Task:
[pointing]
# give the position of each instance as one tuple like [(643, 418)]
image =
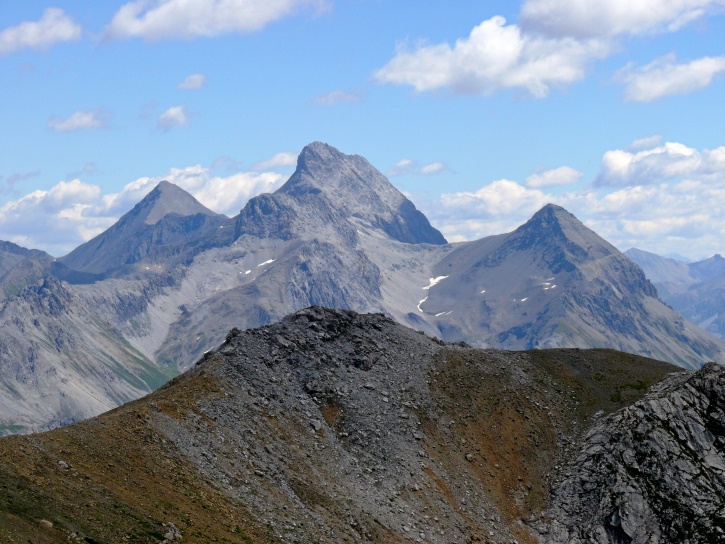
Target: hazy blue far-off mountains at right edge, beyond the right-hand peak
[(695, 290)]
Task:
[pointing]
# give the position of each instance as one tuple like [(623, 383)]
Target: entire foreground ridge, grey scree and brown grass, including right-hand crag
[(332, 426)]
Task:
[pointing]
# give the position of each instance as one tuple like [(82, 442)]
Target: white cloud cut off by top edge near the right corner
[(587, 19)]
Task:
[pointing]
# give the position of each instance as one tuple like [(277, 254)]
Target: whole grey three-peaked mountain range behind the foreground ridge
[(147, 298)]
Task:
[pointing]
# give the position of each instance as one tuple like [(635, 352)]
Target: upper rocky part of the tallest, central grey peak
[(338, 194)]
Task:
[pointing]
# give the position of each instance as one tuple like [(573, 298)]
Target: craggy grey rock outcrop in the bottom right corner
[(653, 472)]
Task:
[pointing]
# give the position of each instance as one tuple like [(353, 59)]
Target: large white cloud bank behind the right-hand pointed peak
[(669, 198)]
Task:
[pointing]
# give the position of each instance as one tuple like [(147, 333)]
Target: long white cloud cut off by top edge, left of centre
[(173, 19)]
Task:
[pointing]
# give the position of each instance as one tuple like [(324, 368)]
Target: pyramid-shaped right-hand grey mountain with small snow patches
[(555, 283)]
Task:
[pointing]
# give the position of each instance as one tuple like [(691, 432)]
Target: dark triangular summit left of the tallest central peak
[(167, 222)]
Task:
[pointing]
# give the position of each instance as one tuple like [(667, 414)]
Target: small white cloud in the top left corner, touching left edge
[(53, 27)]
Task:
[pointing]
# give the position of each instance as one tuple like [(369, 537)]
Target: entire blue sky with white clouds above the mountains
[(481, 112)]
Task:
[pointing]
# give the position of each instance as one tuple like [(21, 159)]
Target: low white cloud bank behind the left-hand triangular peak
[(72, 212)]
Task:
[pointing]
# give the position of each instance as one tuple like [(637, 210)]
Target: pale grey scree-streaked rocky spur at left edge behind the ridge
[(60, 363)]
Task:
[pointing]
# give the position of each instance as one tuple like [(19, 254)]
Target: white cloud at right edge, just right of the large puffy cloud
[(664, 77)]
